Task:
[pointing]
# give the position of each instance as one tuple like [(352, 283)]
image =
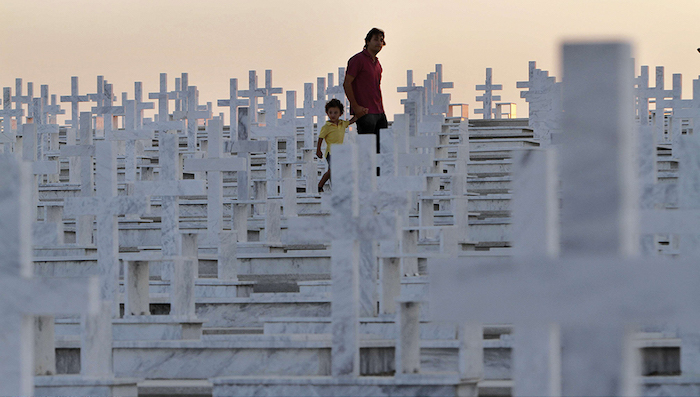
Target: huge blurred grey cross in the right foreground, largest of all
[(593, 291)]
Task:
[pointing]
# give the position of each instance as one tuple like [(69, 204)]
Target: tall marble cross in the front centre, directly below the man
[(351, 221)]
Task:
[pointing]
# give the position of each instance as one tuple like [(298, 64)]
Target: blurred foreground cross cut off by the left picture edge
[(22, 296)]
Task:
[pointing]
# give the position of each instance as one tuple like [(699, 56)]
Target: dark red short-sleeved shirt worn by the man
[(367, 83)]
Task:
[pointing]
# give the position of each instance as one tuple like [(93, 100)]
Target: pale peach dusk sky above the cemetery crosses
[(48, 41)]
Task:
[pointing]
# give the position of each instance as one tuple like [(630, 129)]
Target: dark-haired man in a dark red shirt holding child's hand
[(363, 86)]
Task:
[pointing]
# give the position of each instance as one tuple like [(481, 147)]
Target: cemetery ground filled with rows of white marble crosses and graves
[(191, 252)]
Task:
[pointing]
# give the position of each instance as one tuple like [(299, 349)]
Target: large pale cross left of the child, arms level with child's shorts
[(215, 164)]
